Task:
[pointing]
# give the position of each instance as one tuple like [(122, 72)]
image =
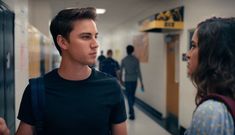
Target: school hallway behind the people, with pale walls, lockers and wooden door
[(161, 31)]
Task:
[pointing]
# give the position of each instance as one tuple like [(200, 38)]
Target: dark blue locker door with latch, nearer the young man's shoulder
[(9, 69)]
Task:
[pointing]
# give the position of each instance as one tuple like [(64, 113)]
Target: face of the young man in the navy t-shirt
[(82, 45)]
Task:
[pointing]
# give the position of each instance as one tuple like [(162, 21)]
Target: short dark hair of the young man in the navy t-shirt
[(62, 23)]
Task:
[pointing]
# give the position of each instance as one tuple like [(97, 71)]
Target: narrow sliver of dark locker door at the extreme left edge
[(1, 66)]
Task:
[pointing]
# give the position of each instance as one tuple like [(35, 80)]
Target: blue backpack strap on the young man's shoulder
[(38, 102)]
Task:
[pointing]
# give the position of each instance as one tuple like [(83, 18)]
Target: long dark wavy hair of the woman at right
[(216, 58)]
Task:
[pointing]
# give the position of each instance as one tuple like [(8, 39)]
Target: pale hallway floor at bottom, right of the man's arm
[(143, 125)]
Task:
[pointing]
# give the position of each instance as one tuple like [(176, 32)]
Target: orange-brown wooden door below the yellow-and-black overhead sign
[(172, 43)]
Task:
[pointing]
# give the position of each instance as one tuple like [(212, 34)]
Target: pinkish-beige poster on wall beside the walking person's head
[(141, 44)]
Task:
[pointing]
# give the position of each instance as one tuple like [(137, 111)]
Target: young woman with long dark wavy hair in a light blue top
[(211, 67)]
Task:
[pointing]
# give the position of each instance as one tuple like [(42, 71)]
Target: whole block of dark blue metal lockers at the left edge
[(7, 68)]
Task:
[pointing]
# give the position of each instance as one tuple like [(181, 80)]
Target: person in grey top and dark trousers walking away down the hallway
[(131, 66)]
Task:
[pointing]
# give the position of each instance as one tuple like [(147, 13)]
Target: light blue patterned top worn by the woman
[(211, 118)]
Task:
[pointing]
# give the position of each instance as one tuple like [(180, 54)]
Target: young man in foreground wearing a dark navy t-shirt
[(79, 100)]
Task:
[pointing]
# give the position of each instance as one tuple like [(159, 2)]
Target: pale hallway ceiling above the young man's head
[(117, 11)]
